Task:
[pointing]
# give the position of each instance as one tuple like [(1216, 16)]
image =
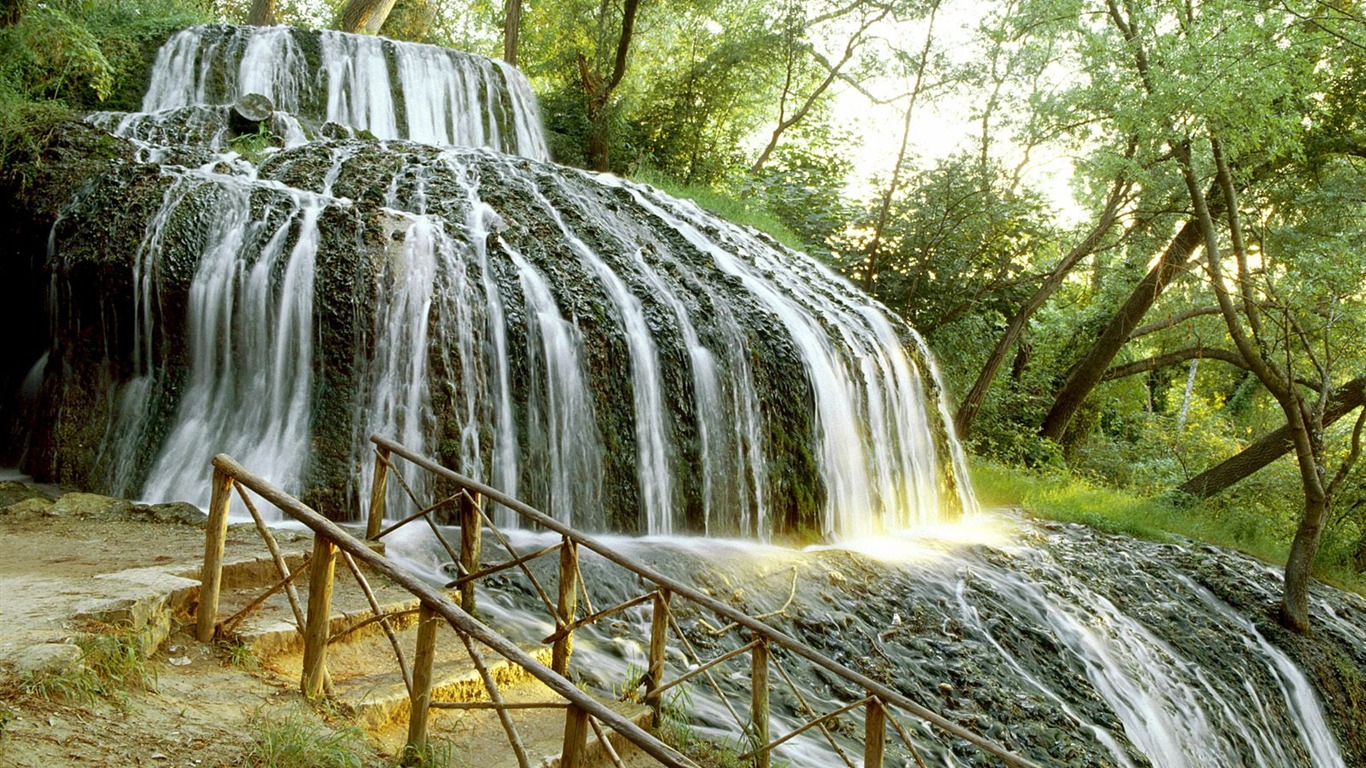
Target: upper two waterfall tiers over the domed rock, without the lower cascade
[(613, 356)]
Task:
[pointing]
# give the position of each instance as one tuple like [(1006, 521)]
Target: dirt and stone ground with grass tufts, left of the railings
[(80, 688)]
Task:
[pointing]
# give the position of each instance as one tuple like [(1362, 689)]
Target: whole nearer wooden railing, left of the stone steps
[(583, 711)]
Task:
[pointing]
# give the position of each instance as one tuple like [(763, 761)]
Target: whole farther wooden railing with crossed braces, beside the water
[(880, 703)]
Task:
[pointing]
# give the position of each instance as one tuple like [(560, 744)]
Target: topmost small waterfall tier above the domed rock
[(364, 84)]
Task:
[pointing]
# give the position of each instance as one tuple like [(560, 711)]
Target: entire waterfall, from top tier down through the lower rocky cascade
[(405, 262)]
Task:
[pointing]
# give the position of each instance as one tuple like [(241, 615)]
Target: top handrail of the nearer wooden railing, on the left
[(441, 605)]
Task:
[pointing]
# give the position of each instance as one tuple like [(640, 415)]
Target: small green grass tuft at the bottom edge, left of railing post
[(296, 740)]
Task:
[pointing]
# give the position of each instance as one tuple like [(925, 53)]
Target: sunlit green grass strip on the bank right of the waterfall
[(1057, 497)]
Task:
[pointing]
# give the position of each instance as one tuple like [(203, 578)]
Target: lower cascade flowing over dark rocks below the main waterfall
[(1068, 646)]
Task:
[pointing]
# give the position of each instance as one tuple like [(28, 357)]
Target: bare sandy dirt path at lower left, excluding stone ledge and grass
[(87, 556)]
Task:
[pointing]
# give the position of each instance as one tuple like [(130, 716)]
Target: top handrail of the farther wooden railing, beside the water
[(884, 694)]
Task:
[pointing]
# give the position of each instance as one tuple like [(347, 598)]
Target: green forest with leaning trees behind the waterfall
[(1133, 233)]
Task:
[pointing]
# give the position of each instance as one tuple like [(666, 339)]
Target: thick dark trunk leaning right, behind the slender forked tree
[(1091, 371)]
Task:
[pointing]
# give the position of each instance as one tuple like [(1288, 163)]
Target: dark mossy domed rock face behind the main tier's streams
[(607, 264)]
